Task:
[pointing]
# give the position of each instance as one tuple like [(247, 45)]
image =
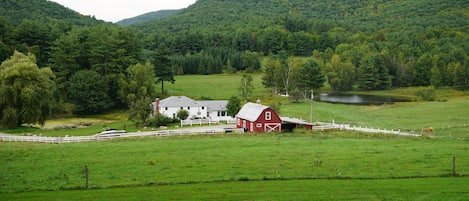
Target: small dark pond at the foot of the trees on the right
[(358, 99)]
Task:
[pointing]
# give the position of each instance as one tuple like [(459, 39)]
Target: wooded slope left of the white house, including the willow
[(87, 60)]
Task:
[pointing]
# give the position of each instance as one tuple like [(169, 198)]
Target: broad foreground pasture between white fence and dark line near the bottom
[(226, 158)]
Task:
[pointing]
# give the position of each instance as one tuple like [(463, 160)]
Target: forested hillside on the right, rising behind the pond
[(405, 39)]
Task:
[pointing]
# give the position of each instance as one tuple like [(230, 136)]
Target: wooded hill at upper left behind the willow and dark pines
[(34, 25)]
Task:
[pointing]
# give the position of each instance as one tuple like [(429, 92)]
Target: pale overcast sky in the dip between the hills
[(115, 10)]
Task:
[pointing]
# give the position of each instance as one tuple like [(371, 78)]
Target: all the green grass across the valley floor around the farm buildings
[(304, 165)]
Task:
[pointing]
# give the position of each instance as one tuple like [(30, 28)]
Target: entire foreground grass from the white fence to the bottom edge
[(246, 165)]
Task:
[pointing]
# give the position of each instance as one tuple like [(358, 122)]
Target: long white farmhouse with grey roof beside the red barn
[(205, 109)]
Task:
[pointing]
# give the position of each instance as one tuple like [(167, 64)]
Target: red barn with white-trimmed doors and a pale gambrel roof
[(258, 118)]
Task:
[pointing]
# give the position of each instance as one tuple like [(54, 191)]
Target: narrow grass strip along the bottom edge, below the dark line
[(386, 189)]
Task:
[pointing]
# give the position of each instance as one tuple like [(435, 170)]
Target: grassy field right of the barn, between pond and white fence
[(448, 118)]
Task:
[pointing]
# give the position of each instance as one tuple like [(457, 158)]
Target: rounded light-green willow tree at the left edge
[(26, 91)]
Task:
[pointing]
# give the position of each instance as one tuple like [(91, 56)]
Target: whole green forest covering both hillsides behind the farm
[(366, 45)]
